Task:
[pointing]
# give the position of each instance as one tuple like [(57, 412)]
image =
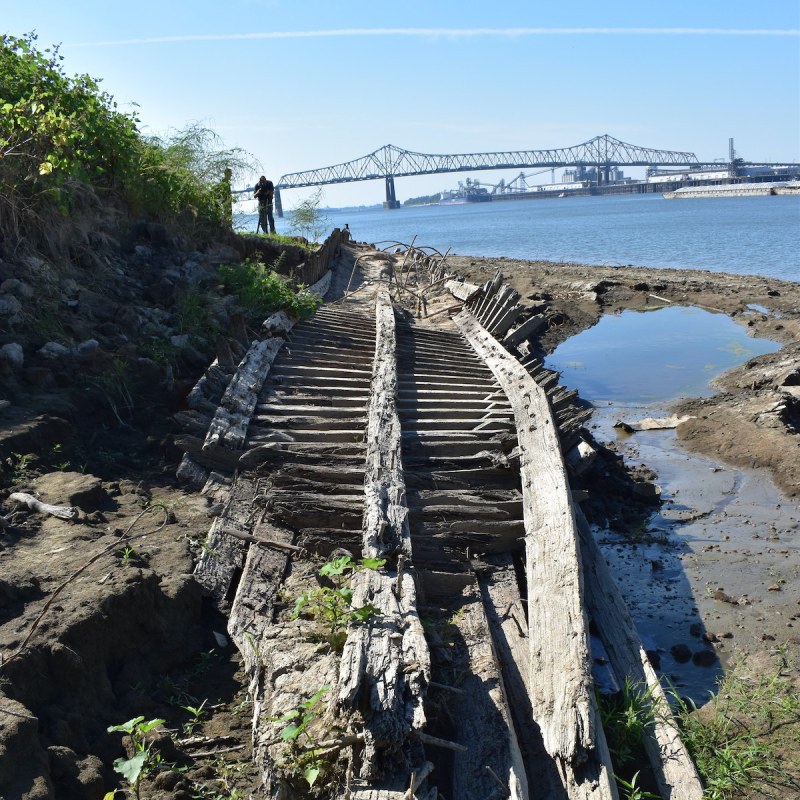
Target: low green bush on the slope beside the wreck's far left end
[(262, 291)]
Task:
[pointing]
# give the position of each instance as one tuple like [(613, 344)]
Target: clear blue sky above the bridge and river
[(309, 83)]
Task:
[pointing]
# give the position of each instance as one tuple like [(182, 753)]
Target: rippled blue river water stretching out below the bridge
[(755, 235)]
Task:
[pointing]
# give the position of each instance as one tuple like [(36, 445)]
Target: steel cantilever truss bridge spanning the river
[(390, 162)]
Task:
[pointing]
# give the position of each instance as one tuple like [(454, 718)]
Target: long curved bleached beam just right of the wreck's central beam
[(559, 678)]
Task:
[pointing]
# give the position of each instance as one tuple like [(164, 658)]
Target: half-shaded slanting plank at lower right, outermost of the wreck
[(674, 770)]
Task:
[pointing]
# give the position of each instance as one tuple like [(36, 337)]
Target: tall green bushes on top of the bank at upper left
[(63, 141)]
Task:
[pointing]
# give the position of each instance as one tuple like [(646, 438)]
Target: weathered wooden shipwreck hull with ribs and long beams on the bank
[(435, 448)]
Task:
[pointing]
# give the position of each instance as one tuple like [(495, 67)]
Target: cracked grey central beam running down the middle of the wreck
[(385, 665)]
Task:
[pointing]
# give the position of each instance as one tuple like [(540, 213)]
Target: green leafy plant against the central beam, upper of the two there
[(332, 605)]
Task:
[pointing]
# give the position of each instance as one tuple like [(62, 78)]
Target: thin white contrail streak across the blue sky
[(451, 33)]
